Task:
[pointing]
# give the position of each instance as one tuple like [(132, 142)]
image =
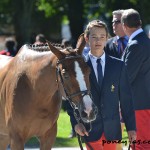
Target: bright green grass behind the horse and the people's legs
[(64, 128)]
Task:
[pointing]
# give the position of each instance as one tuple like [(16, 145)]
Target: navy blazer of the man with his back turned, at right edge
[(137, 61)]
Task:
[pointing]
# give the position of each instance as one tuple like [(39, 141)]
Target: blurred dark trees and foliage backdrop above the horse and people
[(59, 19)]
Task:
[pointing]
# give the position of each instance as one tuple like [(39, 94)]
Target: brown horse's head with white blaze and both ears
[(73, 73)]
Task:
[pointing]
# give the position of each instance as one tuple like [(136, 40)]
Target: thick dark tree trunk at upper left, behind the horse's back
[(22, 20)]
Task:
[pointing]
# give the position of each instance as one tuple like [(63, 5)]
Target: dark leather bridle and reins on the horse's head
[(70, 96)]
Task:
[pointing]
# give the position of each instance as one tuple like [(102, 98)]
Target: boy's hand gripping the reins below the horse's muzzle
[(80, 129)]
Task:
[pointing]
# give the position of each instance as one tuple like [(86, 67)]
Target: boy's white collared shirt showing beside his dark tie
[(94, 63)]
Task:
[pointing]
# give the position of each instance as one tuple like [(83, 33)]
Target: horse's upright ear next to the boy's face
[(80, 44)]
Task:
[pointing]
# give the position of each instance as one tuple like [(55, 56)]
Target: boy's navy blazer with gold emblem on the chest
[(115, 89)]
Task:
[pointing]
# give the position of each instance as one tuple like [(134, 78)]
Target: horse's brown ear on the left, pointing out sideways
[(59, 54)]
